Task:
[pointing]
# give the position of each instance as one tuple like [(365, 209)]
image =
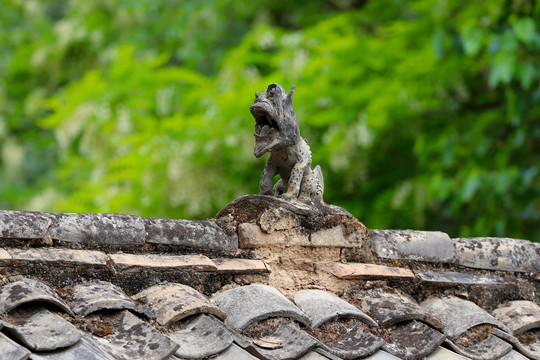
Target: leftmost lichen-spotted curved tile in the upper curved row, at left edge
[(28, 290)]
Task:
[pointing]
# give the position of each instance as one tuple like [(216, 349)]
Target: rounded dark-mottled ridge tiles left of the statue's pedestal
[(115, 230)]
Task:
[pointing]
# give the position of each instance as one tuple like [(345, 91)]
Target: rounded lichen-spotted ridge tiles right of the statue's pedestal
[(503, 254)]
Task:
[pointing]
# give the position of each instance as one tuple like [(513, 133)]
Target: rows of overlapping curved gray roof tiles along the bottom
[(98, 320)]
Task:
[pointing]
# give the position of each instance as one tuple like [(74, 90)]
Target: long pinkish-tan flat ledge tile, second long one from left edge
[(155, 261)]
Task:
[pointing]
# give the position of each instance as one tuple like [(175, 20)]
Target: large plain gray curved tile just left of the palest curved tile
[(247, 304)]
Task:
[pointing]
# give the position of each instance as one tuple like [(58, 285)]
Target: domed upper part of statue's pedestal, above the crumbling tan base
[(261, 220)]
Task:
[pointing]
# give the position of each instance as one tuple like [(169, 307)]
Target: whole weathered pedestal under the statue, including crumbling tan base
[(300, 242)]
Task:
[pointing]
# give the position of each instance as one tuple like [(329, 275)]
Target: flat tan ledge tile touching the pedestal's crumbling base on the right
[(352, 271)]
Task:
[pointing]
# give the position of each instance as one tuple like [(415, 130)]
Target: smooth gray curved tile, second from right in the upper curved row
[(459, 315)]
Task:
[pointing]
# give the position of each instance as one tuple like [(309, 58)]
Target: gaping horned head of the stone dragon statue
[(275, 121)]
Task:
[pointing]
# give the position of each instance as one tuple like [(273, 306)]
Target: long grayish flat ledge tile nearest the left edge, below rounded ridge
[(80, 257)]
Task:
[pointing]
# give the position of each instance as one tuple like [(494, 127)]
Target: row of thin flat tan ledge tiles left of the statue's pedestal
[(58, 265)]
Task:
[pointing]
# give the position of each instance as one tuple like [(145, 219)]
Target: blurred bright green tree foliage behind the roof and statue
[(422, 114)]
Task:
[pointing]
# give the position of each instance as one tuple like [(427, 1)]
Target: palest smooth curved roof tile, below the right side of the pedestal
[(322, 306)]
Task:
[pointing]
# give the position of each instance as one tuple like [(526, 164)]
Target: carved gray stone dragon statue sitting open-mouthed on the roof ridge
[(277, 132)]
